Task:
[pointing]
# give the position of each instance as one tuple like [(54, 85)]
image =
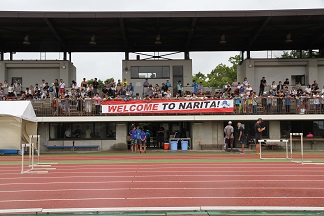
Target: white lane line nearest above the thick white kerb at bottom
[(155, 198)]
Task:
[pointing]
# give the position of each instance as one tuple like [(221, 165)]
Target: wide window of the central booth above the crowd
[(150, 72)]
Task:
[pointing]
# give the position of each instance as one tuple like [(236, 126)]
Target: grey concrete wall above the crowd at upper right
[(280, 69)]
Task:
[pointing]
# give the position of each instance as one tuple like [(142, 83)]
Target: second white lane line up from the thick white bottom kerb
[(154, 188)]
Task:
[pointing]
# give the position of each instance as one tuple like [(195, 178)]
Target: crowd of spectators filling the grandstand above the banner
[(87, 98)]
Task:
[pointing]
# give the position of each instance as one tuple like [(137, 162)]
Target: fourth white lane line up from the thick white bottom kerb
[(152, 176)]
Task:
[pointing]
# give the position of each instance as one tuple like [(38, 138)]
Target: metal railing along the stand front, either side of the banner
[(259, 106)]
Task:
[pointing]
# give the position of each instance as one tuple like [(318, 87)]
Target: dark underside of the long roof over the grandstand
[(178, 31)]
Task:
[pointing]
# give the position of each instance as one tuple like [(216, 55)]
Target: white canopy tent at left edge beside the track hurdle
[(18, 122)]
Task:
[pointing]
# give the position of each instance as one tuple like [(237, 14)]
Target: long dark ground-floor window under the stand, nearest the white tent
[(76, 130)]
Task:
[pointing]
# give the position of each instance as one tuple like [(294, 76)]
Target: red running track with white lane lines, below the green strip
[(164, 185)]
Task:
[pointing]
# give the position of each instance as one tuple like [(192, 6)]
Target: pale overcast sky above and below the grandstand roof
[(106, 65)]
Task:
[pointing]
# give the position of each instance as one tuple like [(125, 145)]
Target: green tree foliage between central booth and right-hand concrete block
[(220, 75)]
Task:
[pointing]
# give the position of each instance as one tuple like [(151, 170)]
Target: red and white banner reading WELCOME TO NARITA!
[(167, 106)]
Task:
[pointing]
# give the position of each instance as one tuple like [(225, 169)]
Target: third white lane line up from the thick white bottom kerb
[(179, 181)]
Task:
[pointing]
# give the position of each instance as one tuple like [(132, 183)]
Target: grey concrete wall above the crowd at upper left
[(33, 71)]
